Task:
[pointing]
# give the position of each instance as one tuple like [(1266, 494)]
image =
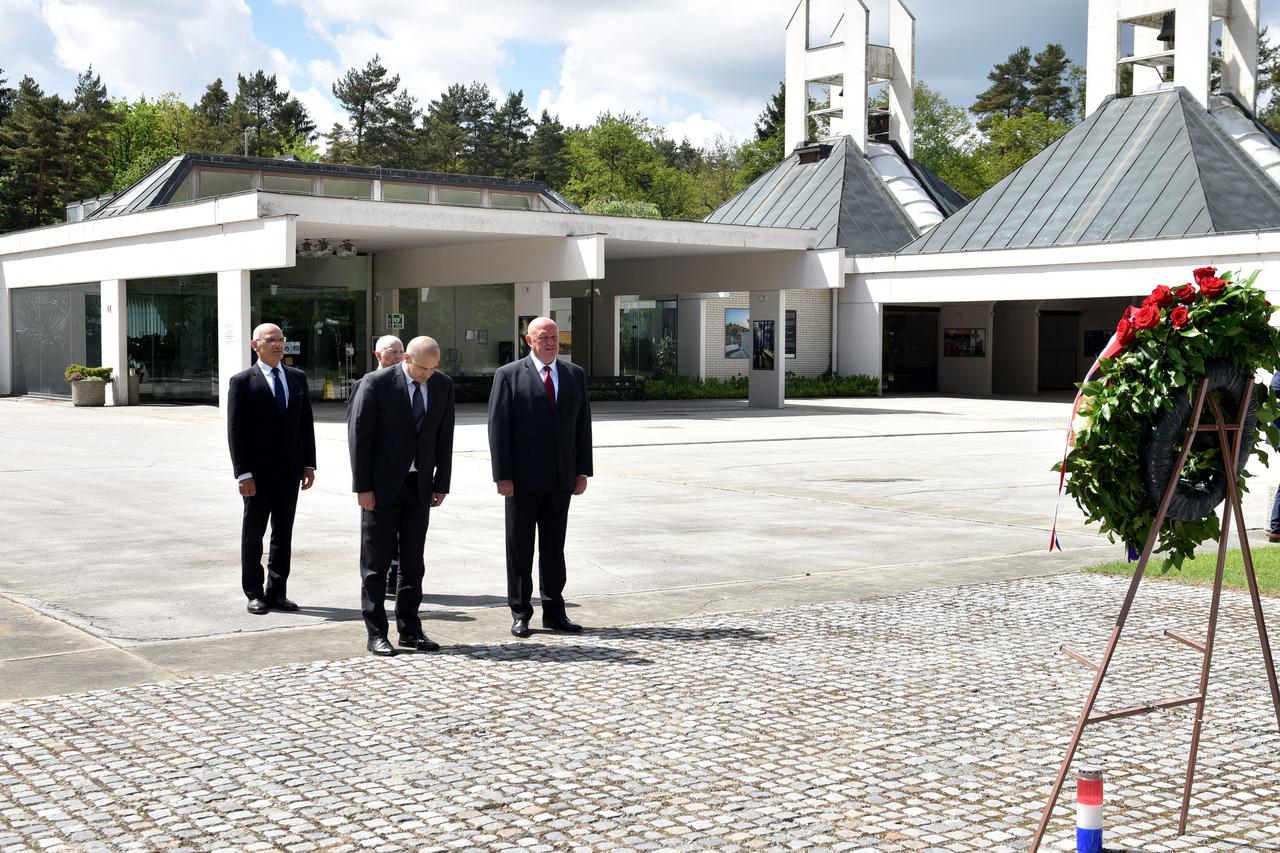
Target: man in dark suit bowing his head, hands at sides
[(400, 432)]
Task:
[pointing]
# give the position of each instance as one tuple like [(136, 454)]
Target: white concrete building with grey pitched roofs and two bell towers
[(849, 256)]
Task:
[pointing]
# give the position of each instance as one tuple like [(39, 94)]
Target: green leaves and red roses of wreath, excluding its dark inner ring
[(1164, 349)]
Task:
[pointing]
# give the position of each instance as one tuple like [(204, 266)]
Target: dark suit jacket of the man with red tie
[(532, 446)]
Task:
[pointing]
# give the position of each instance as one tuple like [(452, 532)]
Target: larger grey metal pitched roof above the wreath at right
[(1144, 167)]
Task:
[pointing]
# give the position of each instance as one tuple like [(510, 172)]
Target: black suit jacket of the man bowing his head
[(383, 443)]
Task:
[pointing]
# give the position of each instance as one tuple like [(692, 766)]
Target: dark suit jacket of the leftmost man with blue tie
[(272, 446)]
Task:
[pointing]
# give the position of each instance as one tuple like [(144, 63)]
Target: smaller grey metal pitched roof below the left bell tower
[(840, 197)]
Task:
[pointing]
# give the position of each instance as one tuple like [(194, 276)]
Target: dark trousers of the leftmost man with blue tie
[(276, 501)]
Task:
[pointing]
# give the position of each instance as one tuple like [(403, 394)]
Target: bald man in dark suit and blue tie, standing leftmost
[(273, 444)]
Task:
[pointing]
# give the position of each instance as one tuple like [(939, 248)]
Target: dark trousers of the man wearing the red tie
[(548, 514)]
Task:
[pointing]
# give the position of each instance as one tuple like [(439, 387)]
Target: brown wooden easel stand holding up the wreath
[(1231, 436)]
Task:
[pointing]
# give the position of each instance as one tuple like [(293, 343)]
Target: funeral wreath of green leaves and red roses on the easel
[(1133, 410)]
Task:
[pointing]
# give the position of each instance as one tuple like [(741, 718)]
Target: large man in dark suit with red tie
[(541, 445)]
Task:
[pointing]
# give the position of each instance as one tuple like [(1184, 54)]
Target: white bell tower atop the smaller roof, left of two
[(831, 63)]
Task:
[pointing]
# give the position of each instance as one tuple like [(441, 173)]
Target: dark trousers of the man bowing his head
[(404, 521)]
